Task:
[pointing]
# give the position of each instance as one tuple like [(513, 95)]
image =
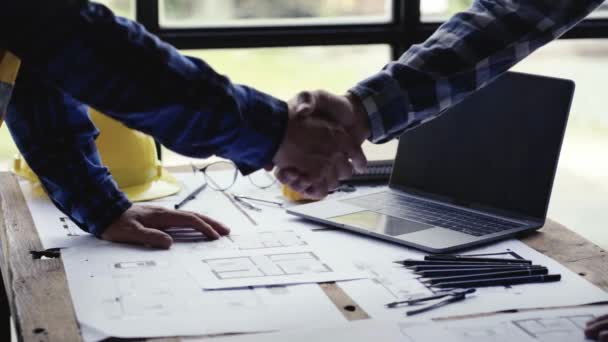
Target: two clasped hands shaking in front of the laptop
[(322, 142)]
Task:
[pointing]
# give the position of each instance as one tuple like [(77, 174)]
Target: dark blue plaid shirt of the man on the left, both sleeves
[(89, 56)]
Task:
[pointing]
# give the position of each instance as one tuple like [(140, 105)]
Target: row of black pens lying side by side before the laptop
[(462, 271)]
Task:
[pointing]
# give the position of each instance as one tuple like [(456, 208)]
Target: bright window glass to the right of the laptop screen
[(581, 185)]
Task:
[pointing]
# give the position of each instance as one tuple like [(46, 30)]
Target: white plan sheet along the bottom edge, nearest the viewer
[(565, 325)]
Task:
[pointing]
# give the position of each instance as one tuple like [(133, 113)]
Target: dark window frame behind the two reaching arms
[(405, 29)]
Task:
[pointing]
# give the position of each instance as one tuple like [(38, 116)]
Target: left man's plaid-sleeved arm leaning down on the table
[(57, 139)]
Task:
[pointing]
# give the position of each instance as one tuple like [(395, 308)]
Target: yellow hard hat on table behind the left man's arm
[(130, 156)]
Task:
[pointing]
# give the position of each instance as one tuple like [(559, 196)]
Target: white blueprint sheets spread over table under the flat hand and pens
[(263, 276)]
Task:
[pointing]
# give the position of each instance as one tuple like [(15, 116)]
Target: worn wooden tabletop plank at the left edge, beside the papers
[(41, 304)]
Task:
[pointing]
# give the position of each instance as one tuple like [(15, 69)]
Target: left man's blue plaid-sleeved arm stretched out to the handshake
[(117, 67)]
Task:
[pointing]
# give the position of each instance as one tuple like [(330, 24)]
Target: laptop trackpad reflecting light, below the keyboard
[(380, 223)]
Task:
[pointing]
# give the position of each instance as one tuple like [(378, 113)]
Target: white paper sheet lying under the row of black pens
[(390, 282)]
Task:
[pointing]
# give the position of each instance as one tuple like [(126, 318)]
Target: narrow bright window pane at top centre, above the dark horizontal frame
[(206, 13)]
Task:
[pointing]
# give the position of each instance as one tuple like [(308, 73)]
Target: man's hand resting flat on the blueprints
[(144, 225)]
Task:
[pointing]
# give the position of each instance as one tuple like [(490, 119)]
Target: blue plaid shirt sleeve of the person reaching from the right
[(466, 53)]
